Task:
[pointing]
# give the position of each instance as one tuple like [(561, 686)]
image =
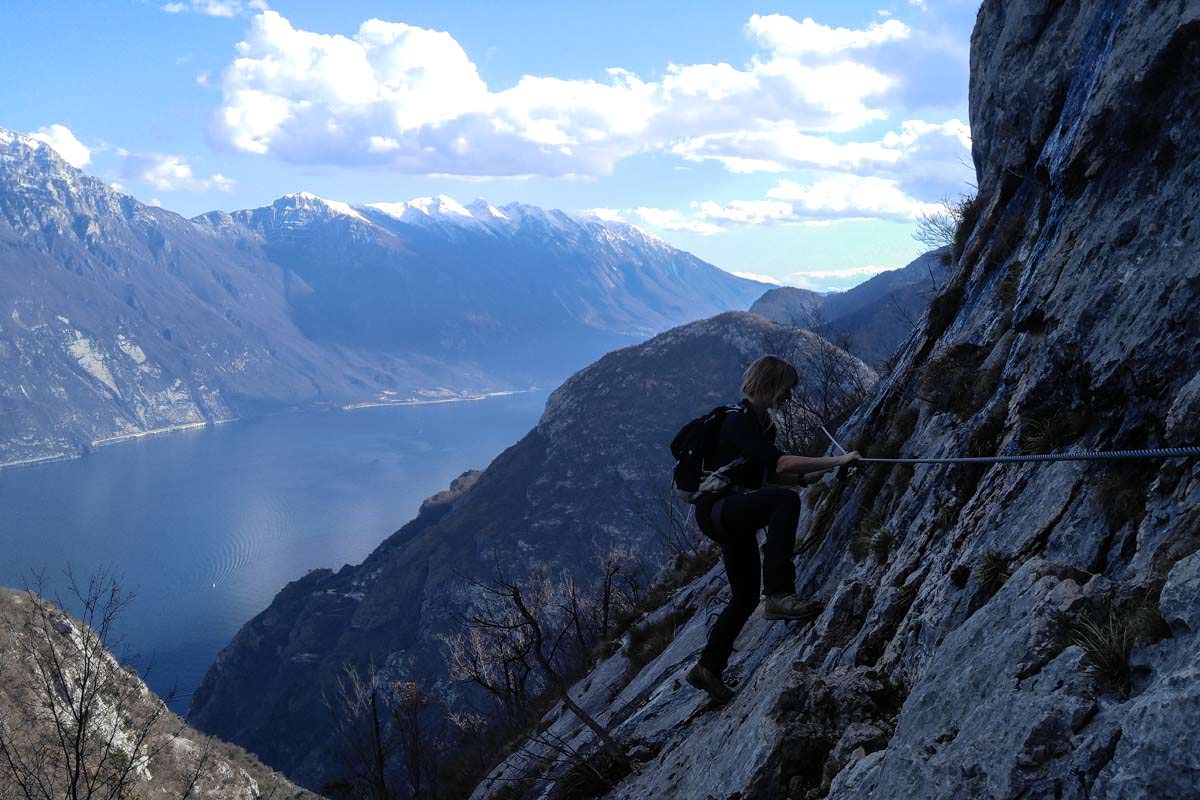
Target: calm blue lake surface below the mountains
[(207, 526)]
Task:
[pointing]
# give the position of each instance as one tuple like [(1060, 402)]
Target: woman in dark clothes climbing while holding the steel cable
[(733, 521)]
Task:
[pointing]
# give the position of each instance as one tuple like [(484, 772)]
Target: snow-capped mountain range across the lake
[(121, 318)]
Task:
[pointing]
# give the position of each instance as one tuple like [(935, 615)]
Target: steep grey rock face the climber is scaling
[(1007, 631)]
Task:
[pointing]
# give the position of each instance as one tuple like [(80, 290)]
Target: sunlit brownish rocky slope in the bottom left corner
[(177, 753)]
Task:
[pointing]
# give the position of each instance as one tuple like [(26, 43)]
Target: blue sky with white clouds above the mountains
[(797, 142)]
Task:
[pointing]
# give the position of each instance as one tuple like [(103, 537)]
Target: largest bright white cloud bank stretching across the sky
[(413, 100)]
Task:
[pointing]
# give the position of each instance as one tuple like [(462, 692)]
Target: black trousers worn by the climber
[(741, 516)]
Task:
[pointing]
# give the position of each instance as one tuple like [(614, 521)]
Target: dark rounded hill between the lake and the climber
[(585, 479)]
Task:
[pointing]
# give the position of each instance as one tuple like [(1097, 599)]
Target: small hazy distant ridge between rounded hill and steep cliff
[(871, 321)]
